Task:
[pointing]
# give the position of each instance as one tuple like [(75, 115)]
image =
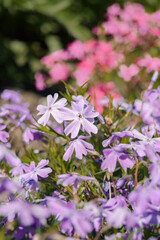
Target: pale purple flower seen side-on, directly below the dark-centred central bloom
[(80, 146)]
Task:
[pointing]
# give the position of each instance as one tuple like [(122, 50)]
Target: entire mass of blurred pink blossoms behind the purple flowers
[(128, 39)]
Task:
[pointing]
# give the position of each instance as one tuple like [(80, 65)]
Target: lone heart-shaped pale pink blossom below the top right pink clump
[(128, 72)]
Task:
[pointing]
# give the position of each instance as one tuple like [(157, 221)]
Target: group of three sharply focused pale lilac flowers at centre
[(82, 116)]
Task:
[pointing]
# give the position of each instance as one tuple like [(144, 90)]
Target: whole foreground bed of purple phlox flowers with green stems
[(113, 192)]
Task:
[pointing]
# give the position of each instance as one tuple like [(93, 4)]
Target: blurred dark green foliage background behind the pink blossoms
[(30, 29)]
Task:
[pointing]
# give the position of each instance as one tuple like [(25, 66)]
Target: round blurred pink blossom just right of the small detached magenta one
[(59, 72)]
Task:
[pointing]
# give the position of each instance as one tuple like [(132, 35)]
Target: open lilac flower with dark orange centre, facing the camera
[(82, 117)]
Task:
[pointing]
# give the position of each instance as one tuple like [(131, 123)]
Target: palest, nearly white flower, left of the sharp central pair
[(53, 108)]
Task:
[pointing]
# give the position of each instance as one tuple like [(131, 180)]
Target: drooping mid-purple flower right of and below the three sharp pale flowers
[(116, 153)]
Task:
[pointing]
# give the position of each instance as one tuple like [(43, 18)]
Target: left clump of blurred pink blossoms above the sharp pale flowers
[(93, 56)]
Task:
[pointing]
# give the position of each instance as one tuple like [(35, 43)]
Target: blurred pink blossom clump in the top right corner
[(135, 25)]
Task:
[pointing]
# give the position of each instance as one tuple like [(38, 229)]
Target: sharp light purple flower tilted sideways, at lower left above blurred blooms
[(35, 172)]
